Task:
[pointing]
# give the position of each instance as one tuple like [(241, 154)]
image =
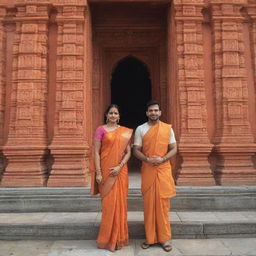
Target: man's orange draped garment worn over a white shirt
[(157, 185)]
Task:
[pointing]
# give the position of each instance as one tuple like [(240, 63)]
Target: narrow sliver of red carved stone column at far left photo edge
[(2, 83)]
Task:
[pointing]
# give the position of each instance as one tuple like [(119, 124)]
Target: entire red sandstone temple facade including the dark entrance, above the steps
[(63, 61)]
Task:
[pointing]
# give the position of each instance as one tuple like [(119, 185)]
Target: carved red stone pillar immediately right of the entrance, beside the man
[(194, 146)]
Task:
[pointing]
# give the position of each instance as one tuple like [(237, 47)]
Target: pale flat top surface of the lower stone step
[(94, 217)]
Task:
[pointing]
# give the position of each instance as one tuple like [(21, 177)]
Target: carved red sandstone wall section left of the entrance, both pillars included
[(47, 59)]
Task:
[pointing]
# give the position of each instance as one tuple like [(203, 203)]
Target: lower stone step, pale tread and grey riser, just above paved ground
[(84, 225)]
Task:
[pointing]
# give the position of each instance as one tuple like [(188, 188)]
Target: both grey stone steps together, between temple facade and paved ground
[(72, 213)]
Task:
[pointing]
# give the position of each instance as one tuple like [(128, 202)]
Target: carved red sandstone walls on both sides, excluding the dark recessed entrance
[(45, 91)]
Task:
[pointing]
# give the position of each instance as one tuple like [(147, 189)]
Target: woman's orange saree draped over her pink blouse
[(113, 231)]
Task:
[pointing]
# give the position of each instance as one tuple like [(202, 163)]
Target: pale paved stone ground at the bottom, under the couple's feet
[(181, 247)]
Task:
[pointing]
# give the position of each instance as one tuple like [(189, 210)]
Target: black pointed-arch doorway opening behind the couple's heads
[(131, 90)]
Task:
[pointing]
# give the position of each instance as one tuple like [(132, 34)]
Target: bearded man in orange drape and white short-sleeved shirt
[(154, 145)]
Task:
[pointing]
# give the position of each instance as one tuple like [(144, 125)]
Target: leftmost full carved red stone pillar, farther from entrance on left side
[(26, 144)]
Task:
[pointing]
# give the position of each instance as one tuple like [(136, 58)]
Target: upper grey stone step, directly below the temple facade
[(217, 198)]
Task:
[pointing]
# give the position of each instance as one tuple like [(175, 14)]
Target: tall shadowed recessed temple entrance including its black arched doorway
[(129, 42)]
